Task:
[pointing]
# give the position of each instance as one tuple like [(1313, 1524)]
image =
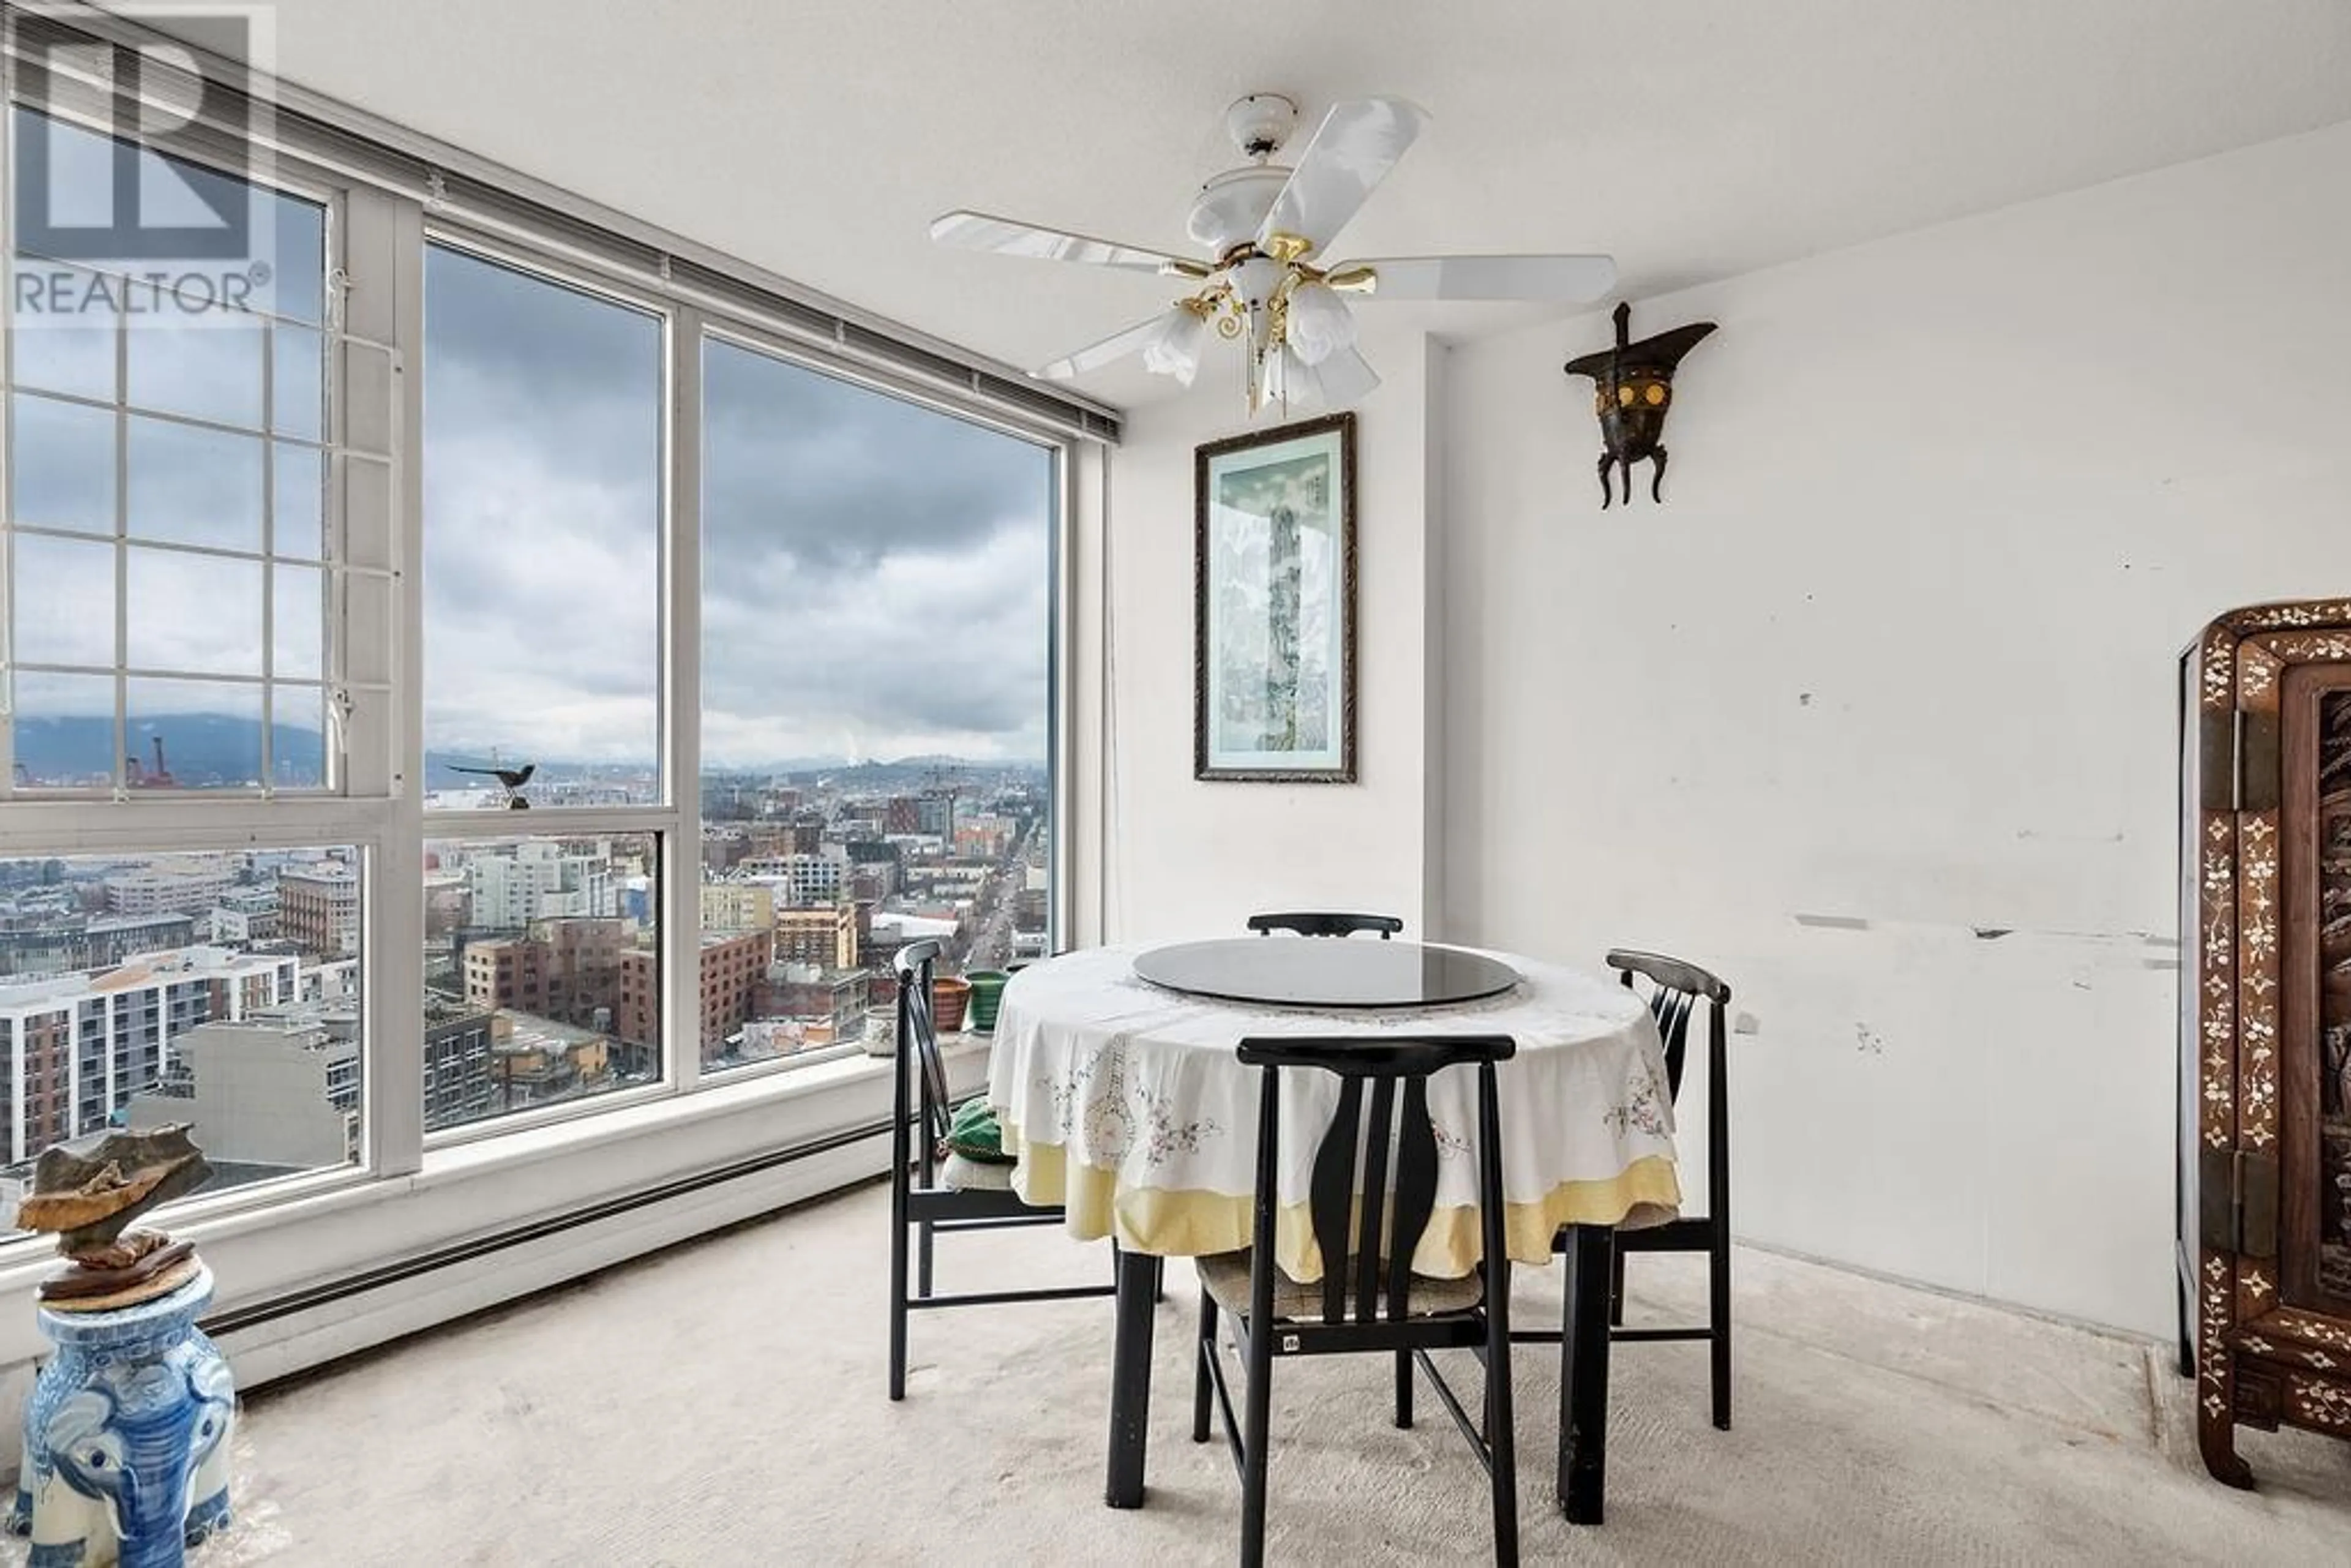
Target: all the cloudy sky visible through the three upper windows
[(876, 577)]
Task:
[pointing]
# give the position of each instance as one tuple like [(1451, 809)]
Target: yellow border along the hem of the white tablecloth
[(1193, 1224)]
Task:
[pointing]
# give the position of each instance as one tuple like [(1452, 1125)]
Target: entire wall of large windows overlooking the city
[(361, 605)]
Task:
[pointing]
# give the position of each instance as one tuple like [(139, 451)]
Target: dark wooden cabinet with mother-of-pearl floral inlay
[(2265, 1024)]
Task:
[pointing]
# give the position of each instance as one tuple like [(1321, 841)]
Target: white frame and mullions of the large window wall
[(382, 213)]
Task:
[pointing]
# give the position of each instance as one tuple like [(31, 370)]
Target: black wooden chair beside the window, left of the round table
[(932, 1188)]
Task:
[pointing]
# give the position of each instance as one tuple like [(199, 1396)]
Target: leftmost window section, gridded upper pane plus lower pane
[(173, 657)]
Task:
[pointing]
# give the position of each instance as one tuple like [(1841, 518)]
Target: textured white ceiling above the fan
[(1694, 140)]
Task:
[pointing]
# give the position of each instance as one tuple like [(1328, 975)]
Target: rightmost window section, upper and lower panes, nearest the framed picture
[(876, 697)]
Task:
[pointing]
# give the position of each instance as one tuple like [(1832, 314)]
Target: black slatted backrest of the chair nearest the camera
[(1353, 1202)]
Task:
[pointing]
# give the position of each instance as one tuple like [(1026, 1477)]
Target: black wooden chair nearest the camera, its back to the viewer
[(1273, 1315)]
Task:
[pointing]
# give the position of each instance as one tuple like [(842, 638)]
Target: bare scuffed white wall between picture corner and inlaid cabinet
[(1891, 671)]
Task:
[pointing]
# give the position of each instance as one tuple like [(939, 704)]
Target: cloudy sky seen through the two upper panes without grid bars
[(876, 577)]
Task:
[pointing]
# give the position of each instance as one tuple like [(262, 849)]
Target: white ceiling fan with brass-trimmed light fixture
[(1259, 227)]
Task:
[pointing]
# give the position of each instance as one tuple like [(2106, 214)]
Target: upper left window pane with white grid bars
[(166, 554)]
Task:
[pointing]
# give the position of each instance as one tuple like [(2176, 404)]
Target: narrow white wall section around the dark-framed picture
[(1188, 857)]
